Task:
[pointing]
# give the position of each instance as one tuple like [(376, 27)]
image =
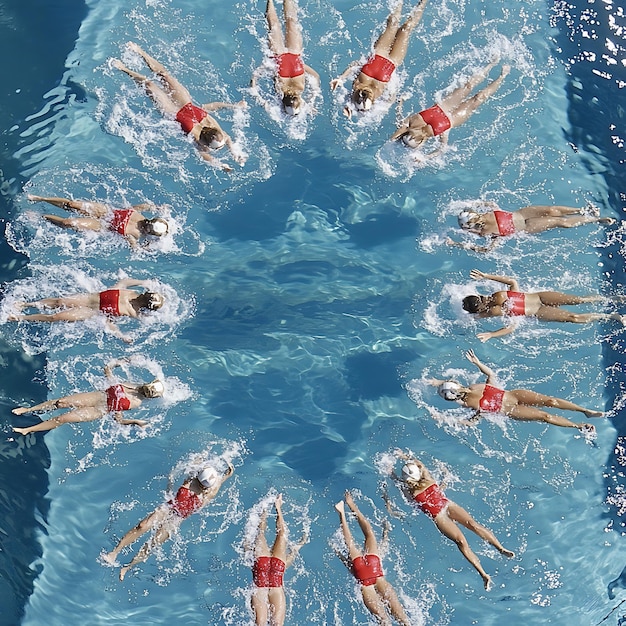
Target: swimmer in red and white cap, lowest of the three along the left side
[(93, 405)]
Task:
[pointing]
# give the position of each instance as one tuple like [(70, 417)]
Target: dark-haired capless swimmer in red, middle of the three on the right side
[(544, 305)]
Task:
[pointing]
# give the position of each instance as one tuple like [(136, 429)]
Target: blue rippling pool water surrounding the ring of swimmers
[(310, 296)]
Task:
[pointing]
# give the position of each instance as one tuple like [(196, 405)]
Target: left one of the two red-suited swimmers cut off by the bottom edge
[(268, 597)]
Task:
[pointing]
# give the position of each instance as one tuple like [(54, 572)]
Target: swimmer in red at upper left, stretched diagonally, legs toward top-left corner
[(174, 101)]
